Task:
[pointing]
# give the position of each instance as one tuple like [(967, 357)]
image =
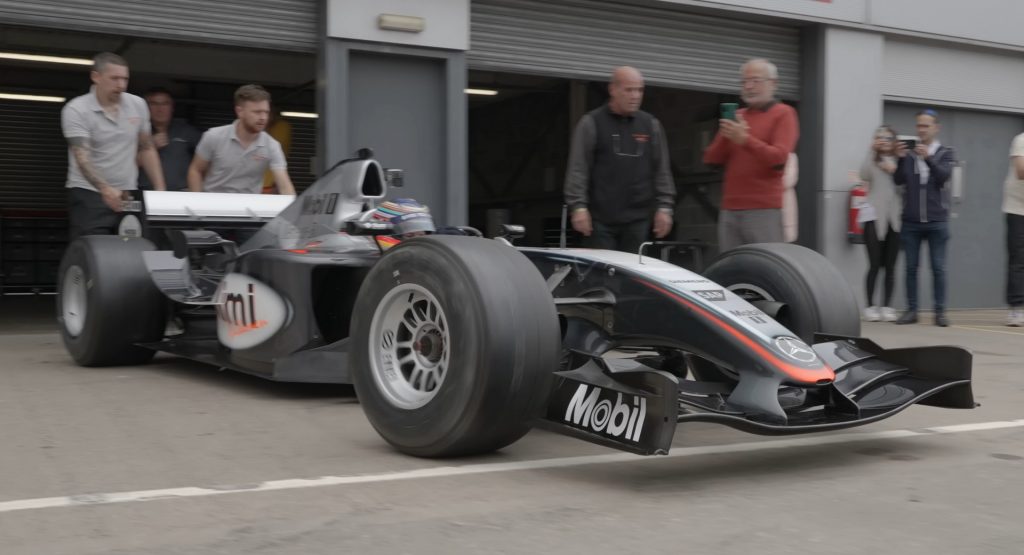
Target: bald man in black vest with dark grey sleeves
[(619, 182)]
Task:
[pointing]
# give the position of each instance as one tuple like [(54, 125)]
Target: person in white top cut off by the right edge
[(1013, 206)]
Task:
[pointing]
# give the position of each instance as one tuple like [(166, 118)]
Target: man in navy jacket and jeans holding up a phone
[(925, 173)]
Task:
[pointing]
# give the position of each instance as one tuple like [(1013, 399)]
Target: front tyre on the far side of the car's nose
[(817, 296)]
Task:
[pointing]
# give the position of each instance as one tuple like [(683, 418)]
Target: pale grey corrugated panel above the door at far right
[(929, 73)]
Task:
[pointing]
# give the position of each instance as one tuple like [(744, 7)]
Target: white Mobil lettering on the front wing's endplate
[(618, 420)]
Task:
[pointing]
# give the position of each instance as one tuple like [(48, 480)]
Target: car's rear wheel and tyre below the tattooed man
[(107, 303)]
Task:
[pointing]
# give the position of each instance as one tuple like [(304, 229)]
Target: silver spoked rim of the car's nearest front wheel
[(410, 347)]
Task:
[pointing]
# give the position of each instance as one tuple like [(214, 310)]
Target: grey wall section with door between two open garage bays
[(399, 93)]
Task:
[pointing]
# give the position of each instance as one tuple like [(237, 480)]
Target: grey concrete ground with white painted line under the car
[(212, 463)]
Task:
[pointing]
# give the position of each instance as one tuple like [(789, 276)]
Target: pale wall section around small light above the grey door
[(447, 22)]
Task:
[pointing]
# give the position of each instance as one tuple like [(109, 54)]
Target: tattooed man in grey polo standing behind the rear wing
[(108, 133)]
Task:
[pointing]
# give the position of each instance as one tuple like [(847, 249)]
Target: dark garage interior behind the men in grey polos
[(34, 155)]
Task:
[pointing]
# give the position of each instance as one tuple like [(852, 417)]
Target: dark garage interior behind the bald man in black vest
[(519, 149)]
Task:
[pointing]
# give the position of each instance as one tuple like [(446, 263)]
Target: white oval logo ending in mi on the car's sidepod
[(249, 312)]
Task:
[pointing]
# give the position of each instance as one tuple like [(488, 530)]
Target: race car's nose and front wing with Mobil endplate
[(763, 380)]
